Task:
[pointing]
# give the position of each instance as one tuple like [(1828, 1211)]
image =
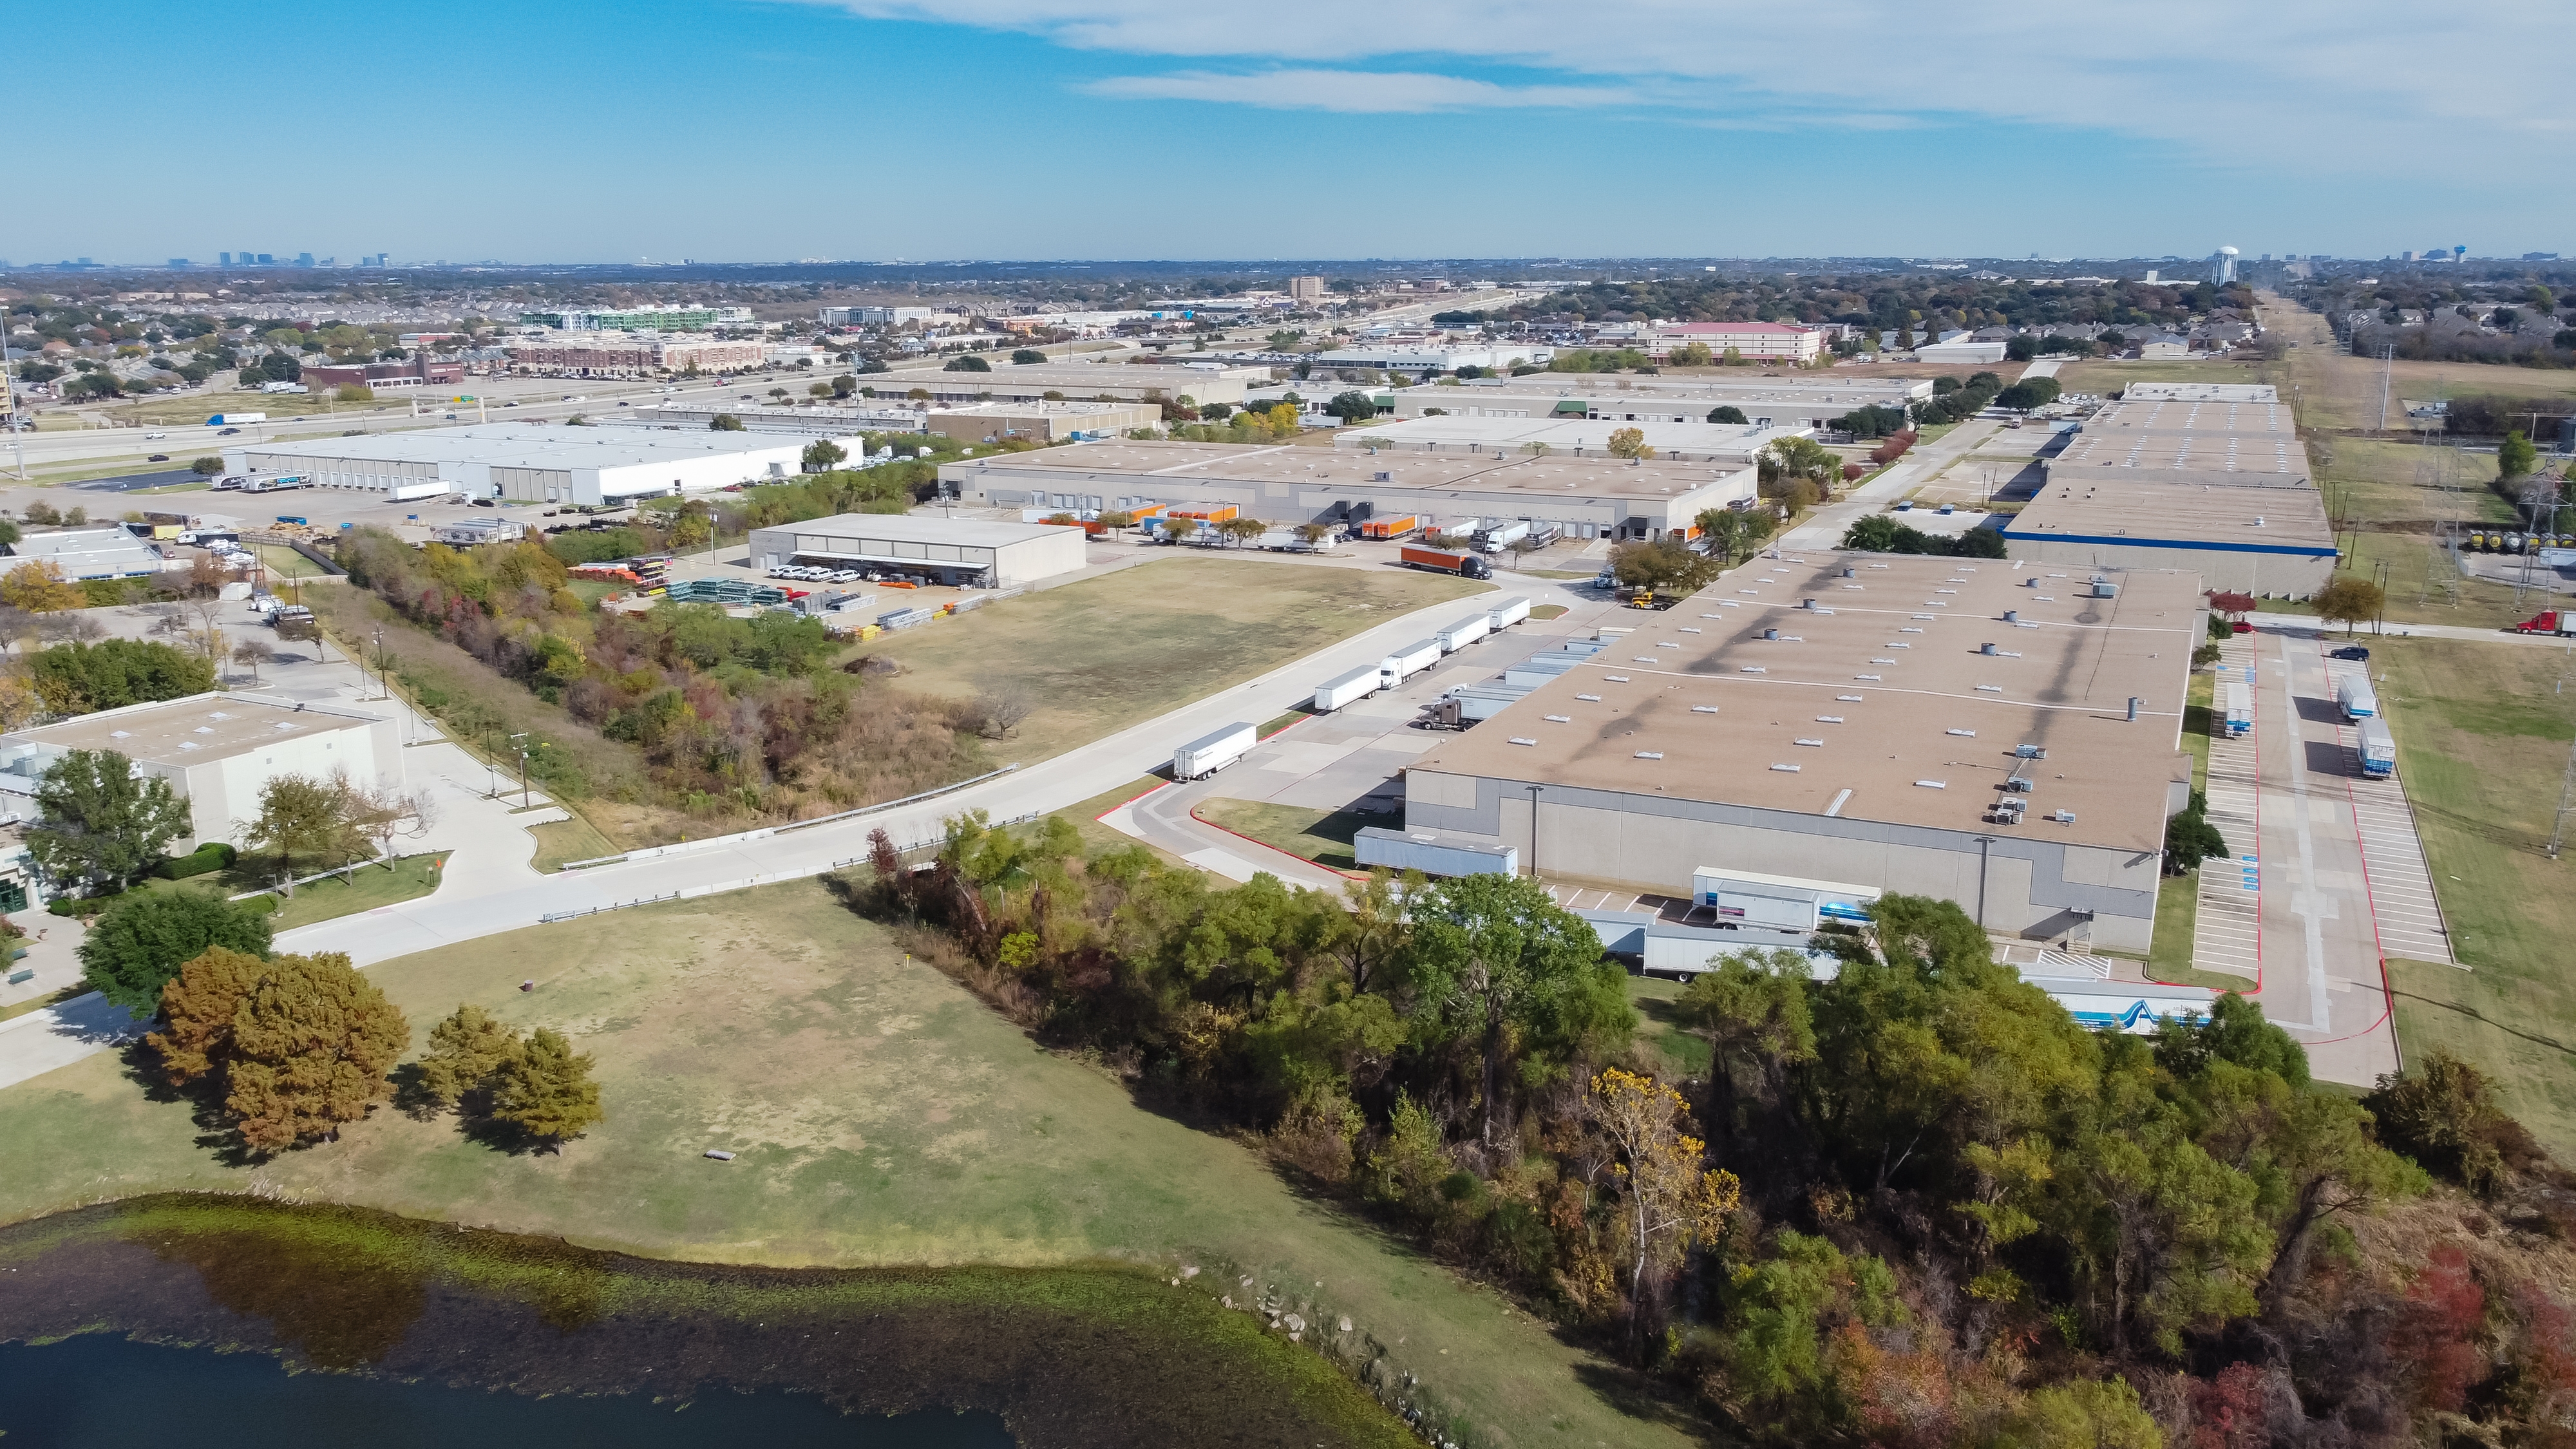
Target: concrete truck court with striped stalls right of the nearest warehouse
[(2327, 875)]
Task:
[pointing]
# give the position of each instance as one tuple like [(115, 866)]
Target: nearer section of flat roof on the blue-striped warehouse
[(2106, 507)]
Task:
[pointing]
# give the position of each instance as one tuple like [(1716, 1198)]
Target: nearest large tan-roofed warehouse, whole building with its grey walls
[(1815, 734)]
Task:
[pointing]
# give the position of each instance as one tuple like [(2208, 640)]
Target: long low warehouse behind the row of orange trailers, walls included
[(1588, 499)]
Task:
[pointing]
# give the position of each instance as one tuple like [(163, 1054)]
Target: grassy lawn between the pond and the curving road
[(880, 1118)]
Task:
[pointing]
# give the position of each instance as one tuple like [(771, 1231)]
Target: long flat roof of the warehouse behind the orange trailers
[(1235, 463)]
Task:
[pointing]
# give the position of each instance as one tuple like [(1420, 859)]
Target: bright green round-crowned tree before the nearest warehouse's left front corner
[(1490, 958)]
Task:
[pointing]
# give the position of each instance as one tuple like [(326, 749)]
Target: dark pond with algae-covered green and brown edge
[(272, 1327)]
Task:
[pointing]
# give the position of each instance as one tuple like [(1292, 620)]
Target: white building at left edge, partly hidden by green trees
[(218, 752)]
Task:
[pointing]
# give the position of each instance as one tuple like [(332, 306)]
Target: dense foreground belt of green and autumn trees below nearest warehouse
[(1910, 1200)]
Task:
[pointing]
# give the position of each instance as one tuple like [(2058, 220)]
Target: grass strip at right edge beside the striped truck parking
[(2482, 744)]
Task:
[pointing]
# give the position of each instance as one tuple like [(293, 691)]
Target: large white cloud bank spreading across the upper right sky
[(2353, 86)]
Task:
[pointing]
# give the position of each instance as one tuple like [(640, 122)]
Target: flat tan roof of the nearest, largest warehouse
[(1877, 705)]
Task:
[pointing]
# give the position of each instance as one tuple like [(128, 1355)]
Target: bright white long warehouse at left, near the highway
[(529, 463)]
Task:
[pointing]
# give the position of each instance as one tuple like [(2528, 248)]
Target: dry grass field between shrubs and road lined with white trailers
[(1124, 648)]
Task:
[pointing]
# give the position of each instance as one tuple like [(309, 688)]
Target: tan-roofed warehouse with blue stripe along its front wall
[(2206, 478)]
